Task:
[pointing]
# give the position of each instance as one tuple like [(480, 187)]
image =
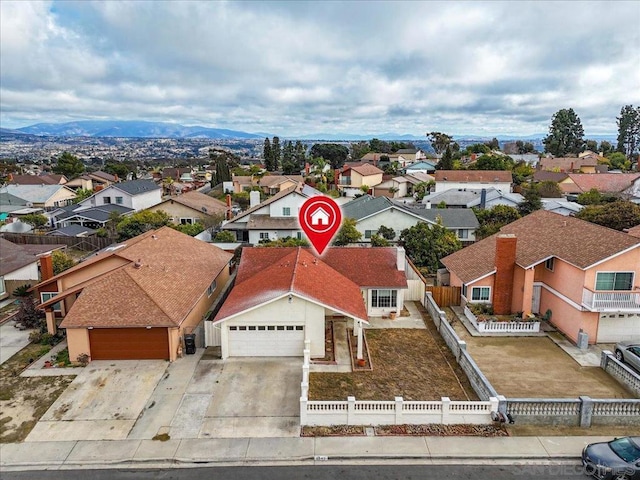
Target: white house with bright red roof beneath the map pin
[(282, 297)]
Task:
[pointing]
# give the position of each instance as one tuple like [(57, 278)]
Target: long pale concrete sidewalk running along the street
[(146, 453)]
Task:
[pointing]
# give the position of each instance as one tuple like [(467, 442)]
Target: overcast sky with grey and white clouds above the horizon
[(294, 68)]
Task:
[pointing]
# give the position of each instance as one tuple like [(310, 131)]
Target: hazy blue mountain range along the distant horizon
[(142, 129)]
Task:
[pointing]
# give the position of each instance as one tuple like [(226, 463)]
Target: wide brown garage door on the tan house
[(129, 343)]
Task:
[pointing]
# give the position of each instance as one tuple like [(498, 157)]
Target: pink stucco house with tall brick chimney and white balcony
[(586, 274)]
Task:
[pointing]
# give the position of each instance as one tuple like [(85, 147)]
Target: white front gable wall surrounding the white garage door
[(281, 312)]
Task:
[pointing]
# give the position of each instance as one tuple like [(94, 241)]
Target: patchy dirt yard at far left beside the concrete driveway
[(23, 400)]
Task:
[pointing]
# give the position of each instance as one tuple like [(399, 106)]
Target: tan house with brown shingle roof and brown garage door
[(137, 299)]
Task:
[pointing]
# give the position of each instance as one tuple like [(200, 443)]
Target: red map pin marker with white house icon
[(320, 218)]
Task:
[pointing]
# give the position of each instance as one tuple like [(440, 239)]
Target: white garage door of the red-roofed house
[(266, 340)]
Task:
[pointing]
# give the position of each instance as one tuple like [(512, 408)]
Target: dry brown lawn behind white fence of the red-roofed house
[(409, 363)]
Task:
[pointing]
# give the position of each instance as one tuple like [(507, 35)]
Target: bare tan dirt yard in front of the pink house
[(535, 367)]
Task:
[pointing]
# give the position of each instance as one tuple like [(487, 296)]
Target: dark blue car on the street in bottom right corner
[(617, 459)]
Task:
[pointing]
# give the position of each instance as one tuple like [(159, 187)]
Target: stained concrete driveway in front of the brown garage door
[(102, 403)]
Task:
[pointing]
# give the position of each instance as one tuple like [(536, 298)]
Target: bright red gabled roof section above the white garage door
[(296, 271)]
